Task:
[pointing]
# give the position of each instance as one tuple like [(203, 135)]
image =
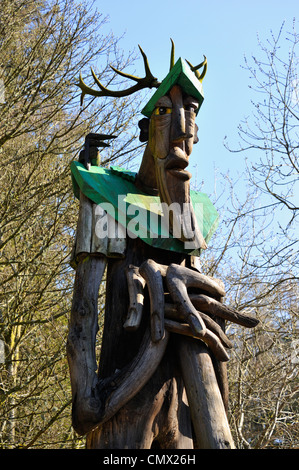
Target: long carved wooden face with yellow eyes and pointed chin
[(172, 134)]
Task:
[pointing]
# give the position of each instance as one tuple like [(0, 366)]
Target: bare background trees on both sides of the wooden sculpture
[(44, 45)]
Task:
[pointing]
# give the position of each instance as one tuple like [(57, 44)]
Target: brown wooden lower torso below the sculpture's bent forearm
[(158, 417)]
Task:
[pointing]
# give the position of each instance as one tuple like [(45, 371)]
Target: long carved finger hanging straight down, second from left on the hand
[(152, 275)]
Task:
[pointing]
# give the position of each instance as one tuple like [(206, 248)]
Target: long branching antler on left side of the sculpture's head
[(149, 81)]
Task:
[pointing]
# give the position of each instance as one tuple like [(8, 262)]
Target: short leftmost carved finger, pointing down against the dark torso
[(136, 285)]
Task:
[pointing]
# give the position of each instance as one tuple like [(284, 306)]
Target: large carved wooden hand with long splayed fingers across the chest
[(180, 311)]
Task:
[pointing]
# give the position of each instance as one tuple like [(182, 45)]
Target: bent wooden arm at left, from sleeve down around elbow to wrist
[(96, 400)]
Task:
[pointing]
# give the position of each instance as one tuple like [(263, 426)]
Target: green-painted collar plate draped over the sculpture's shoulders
[(130, 206)]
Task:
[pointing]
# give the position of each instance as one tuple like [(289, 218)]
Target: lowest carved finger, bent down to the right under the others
[(209, 338)]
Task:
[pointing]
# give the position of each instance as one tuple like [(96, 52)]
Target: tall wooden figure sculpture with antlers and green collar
[(161, 380)]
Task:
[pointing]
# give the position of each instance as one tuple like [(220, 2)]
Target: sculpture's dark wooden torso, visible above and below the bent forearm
[(157, 410)]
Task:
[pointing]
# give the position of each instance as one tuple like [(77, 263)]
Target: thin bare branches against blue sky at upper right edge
[(272, 129)]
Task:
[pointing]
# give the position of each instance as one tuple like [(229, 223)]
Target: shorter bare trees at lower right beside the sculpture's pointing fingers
[(263, 367)]
